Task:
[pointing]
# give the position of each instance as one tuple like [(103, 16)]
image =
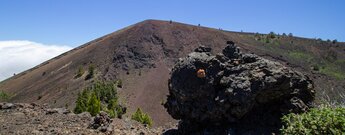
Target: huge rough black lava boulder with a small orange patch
[(241, 93)]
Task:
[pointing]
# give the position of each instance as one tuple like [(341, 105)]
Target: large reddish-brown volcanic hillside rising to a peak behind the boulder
[(142, 55)]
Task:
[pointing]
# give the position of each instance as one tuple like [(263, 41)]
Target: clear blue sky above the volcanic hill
[(74, 22)]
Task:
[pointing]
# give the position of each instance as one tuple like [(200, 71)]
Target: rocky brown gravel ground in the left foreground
[(24, 119)]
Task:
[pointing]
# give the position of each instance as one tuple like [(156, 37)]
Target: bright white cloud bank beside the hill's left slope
[(19, 55)]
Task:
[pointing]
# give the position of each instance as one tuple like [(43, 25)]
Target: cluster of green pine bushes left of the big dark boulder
[(101, 96)]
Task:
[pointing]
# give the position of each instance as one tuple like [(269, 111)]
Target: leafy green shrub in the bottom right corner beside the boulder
[(318, 121)]
